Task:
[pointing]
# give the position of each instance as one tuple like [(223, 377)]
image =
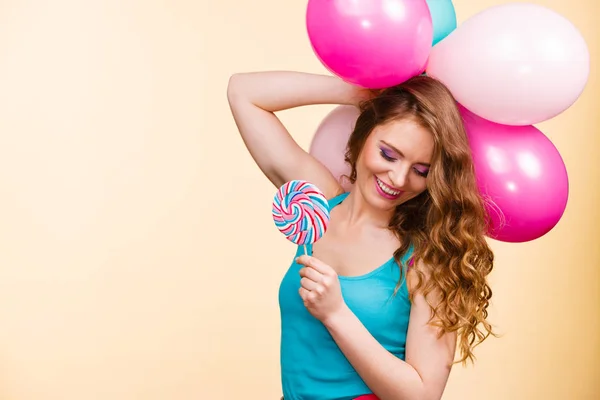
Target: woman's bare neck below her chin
[(360, 213)]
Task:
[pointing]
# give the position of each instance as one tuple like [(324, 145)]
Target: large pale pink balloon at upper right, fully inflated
[(514, 64)]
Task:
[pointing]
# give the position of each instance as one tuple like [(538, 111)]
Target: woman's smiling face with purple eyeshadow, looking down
[(393, 164)]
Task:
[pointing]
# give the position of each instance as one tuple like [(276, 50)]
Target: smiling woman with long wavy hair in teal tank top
[(399, 279)]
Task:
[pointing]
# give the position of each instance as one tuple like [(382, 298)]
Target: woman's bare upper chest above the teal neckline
[(355, 253)]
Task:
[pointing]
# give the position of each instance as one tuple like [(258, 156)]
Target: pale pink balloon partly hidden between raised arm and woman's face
[(330, 140)]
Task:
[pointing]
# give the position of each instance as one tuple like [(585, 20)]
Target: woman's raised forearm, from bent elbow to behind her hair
[(279, 90)]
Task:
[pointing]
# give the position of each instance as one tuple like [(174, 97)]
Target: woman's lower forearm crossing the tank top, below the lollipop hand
[(389, 377)]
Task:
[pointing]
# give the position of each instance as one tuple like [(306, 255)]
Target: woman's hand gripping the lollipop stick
[(320, 288)]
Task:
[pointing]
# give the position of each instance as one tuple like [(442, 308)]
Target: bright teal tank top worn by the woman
[(312, 365)]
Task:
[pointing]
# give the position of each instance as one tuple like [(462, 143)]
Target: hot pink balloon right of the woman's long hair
[(522, 173)]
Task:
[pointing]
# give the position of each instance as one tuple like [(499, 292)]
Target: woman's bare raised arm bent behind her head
[(255, 97)]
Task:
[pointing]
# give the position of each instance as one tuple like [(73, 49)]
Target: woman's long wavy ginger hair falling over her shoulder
[(446, 224)]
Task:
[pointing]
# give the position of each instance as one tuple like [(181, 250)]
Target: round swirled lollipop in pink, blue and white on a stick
[(301, 212)]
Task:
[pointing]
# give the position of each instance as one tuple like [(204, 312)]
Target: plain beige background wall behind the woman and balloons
[(138, 258)]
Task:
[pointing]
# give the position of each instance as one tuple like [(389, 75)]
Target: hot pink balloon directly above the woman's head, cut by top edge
[(371, 43)]
